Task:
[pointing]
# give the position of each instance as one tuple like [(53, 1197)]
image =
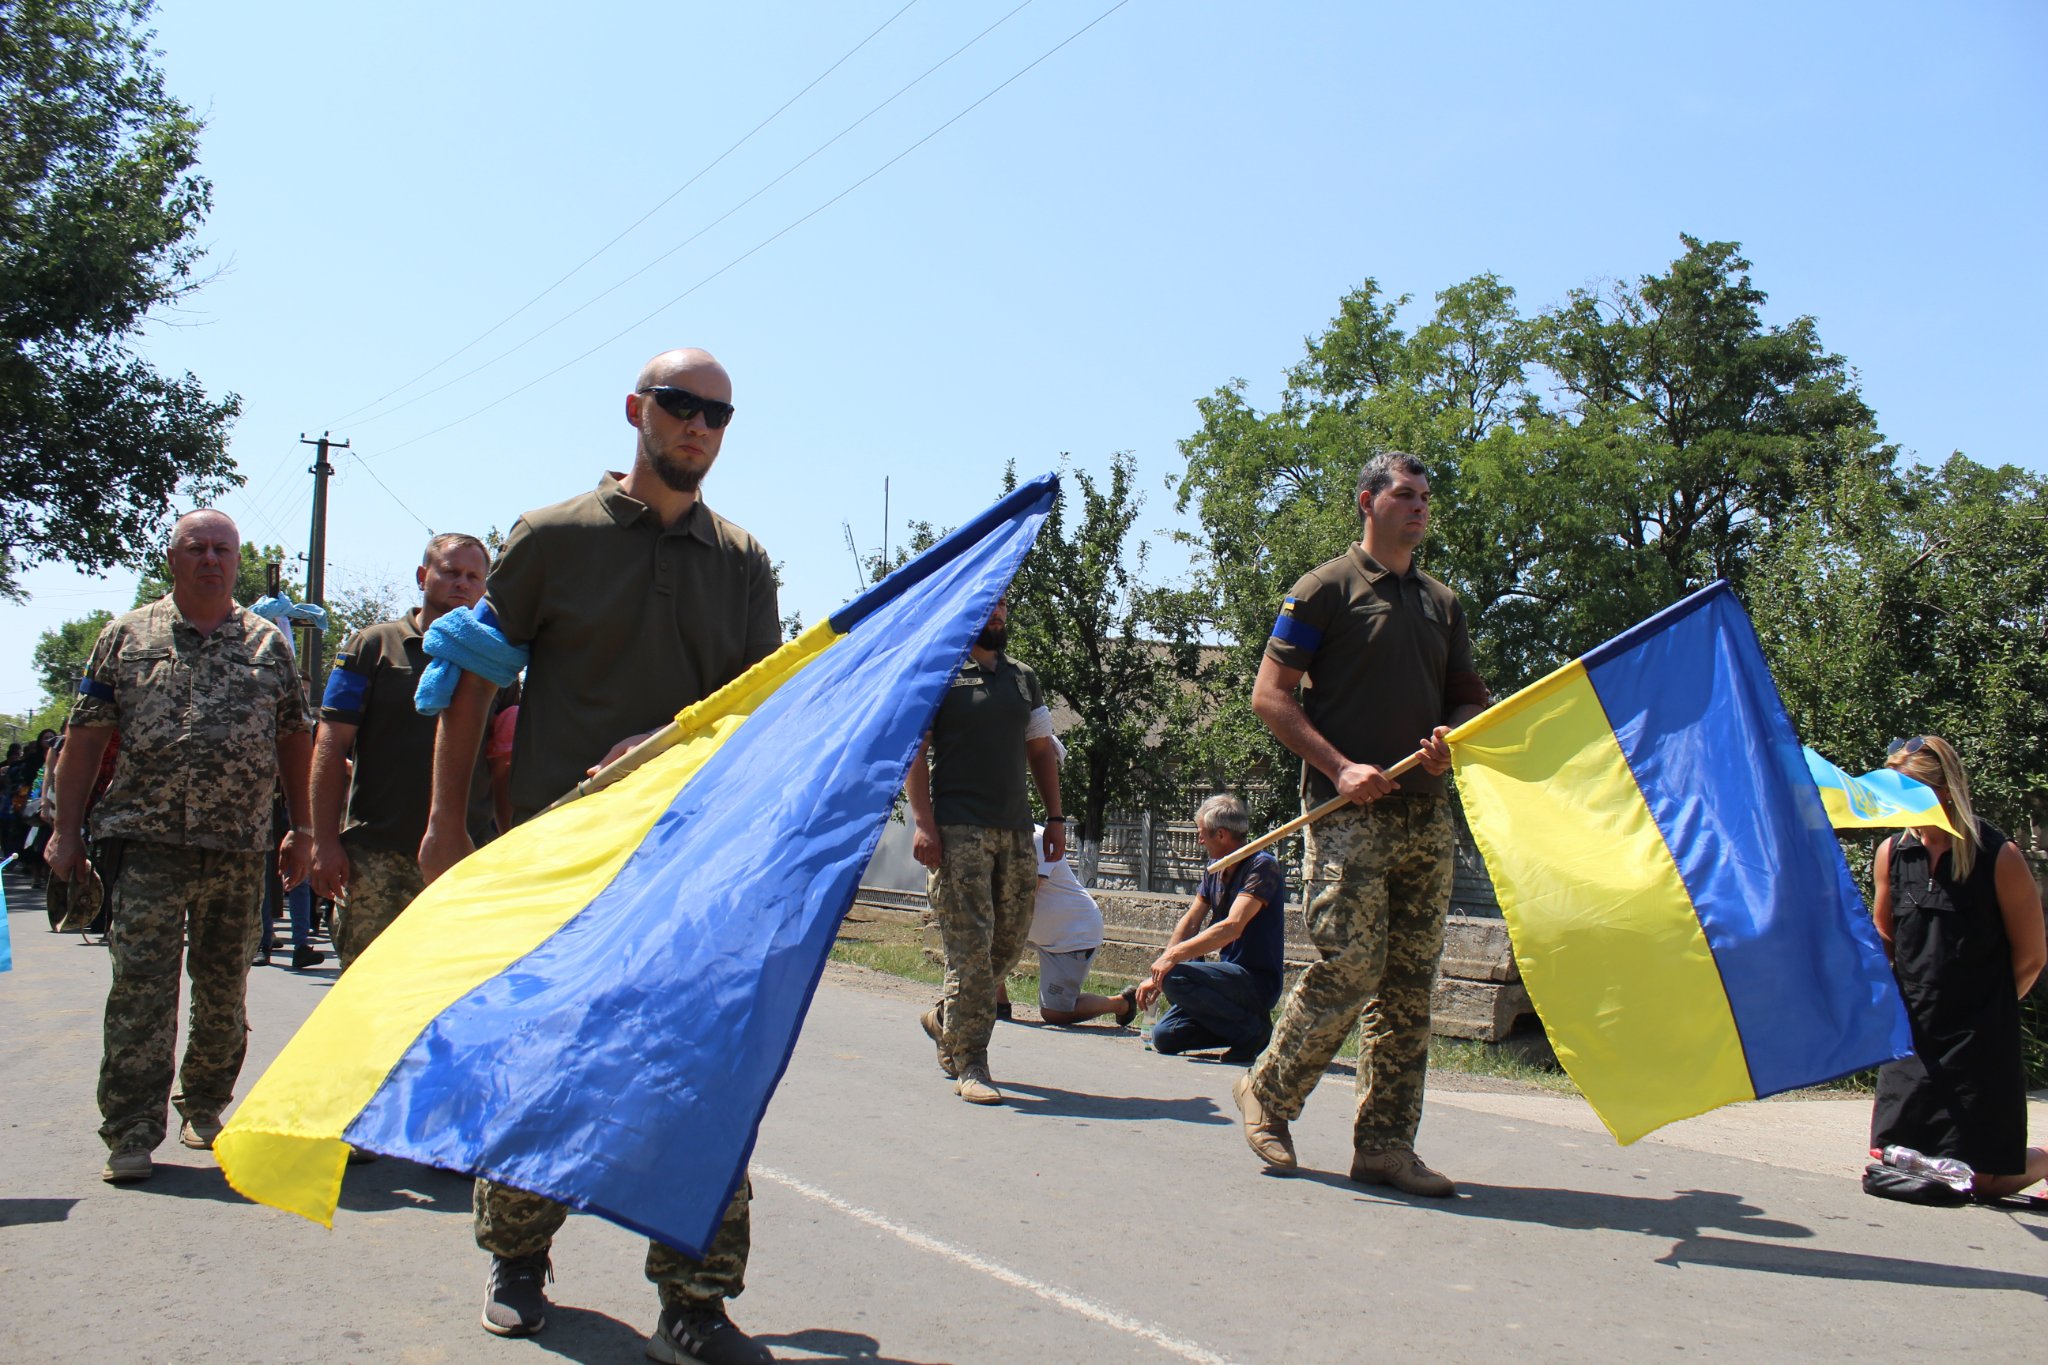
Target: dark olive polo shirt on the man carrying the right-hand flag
[(1383, 654)]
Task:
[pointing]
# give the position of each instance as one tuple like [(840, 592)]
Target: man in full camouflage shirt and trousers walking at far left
[(206, 699)]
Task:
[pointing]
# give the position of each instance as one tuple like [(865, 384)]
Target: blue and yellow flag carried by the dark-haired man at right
[(1680, 908)]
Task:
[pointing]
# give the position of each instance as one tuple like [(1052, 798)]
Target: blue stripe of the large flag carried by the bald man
[(624, 1067)]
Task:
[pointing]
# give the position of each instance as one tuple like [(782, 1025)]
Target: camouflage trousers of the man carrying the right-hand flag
[(1379, 928)]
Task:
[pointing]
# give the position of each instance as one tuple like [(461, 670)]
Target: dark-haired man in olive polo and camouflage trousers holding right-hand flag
[(1388, 664)]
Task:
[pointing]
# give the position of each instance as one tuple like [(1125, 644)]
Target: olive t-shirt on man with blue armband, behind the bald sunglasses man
[(394, 760)]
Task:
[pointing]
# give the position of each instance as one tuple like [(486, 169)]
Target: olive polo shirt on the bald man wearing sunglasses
[(628, 623)]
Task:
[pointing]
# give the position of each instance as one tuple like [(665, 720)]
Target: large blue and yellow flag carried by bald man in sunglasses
[(599, 1006)]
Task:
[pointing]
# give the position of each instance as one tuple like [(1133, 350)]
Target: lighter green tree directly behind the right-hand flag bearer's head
[(1275, 492)]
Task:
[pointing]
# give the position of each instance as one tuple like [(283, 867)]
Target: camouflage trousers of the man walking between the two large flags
[(982, 897)]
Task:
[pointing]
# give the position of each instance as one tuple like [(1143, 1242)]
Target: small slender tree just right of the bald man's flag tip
[(1105, 646)]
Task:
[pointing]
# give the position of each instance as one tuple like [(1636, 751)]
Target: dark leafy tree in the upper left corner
[(99, 202)]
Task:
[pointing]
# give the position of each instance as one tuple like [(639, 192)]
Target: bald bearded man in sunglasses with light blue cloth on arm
[(636, 603)]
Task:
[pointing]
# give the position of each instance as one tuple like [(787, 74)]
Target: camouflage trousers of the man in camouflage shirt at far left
[(173, 901)]
